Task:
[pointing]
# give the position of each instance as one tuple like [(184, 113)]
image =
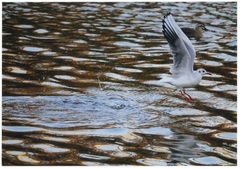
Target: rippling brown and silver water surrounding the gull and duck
[(80, 85)]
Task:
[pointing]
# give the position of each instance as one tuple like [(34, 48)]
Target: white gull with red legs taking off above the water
[(183, 75)]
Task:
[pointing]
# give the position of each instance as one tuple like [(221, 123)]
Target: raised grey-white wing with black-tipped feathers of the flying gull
[(181, 47)]
